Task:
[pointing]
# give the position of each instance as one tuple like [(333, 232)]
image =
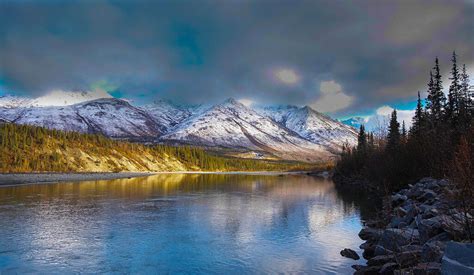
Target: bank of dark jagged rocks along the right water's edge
[(421, 232)]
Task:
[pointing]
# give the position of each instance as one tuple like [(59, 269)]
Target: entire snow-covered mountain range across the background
[(284, 132)]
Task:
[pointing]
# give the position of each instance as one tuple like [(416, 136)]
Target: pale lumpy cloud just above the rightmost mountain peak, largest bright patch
[(332, 97)]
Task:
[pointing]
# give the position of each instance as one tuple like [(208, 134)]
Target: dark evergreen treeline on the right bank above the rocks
[(438, 144)]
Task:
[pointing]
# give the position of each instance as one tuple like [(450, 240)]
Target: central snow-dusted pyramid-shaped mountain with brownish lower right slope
[(233, 125)]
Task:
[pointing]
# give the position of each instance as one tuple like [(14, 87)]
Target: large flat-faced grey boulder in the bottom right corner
[(458, 259)]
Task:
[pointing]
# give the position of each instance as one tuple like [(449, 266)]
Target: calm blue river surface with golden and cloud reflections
[(179, 223)]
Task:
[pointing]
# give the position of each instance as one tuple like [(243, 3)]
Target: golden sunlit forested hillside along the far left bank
[(26, 148)]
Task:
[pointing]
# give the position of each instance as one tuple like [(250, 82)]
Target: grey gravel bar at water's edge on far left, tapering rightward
[(26, 178)]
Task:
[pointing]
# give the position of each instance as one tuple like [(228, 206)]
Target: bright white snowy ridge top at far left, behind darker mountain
[(53, 98)]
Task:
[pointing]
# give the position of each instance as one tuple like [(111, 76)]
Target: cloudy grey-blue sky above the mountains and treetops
[(341, 57)]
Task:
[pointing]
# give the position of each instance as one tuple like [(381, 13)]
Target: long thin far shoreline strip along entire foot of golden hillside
[(13, 179)]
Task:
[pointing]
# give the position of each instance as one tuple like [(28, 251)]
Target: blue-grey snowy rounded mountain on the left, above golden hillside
[(111, 117)]
